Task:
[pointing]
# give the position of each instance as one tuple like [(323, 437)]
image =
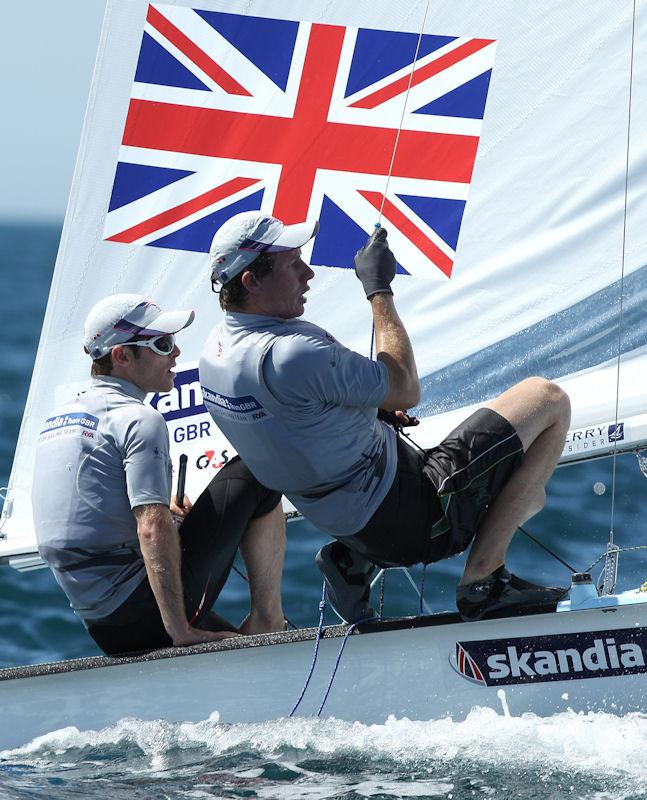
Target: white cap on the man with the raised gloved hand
[(245, 236)]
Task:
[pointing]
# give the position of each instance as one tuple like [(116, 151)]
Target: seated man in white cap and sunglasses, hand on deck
[(101, 492)]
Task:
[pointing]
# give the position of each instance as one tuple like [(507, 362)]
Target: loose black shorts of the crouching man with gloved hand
[(439, 496)]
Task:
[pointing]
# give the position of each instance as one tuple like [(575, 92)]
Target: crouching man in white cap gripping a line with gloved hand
[(301, 409)]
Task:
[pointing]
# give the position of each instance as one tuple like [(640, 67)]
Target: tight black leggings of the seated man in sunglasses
[(210, 535)]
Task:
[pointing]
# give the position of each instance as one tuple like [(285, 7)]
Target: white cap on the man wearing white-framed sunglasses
[(121, 318)]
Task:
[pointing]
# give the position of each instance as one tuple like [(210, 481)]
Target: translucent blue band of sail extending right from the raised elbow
[(580, 337)]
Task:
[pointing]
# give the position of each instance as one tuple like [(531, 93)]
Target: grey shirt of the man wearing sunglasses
[(97, 458)]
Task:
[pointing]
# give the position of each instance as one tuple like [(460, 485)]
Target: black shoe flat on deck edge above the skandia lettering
[(500, 590)]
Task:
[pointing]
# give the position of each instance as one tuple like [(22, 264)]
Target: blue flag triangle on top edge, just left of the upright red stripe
[(267, 43)]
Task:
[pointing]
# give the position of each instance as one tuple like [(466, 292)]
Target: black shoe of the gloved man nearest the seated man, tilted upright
[(348, 581)]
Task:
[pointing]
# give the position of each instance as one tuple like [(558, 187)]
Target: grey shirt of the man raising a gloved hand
[(300, 408)]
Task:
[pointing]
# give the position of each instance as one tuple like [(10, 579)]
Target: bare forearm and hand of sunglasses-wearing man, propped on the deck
[(160, 545)]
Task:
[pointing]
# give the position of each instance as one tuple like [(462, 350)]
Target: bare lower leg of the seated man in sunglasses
[(263, 548)]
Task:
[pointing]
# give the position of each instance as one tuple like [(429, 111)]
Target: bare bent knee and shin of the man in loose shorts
[(540, 413)]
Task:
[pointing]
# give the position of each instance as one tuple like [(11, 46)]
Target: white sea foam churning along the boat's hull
[(598, 743)]
